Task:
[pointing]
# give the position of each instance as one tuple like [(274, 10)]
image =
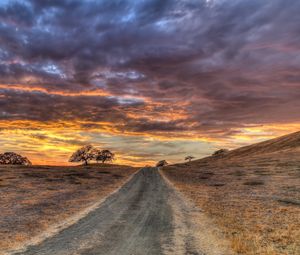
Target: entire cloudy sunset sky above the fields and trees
[(147, 79)]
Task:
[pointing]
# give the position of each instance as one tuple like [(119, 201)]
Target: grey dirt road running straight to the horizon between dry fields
[(139, 219)]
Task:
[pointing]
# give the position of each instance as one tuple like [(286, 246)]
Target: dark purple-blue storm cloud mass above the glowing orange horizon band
[(225, 63)]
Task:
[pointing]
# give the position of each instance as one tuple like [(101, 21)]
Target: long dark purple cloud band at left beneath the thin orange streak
[(41, 106)]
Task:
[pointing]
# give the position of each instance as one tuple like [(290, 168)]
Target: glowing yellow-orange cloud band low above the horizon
[(53, 142)]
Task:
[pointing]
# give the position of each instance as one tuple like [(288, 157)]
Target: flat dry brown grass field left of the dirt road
[(34, 198)]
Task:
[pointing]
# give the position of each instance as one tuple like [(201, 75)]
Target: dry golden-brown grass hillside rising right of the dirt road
[(252, 194)]
